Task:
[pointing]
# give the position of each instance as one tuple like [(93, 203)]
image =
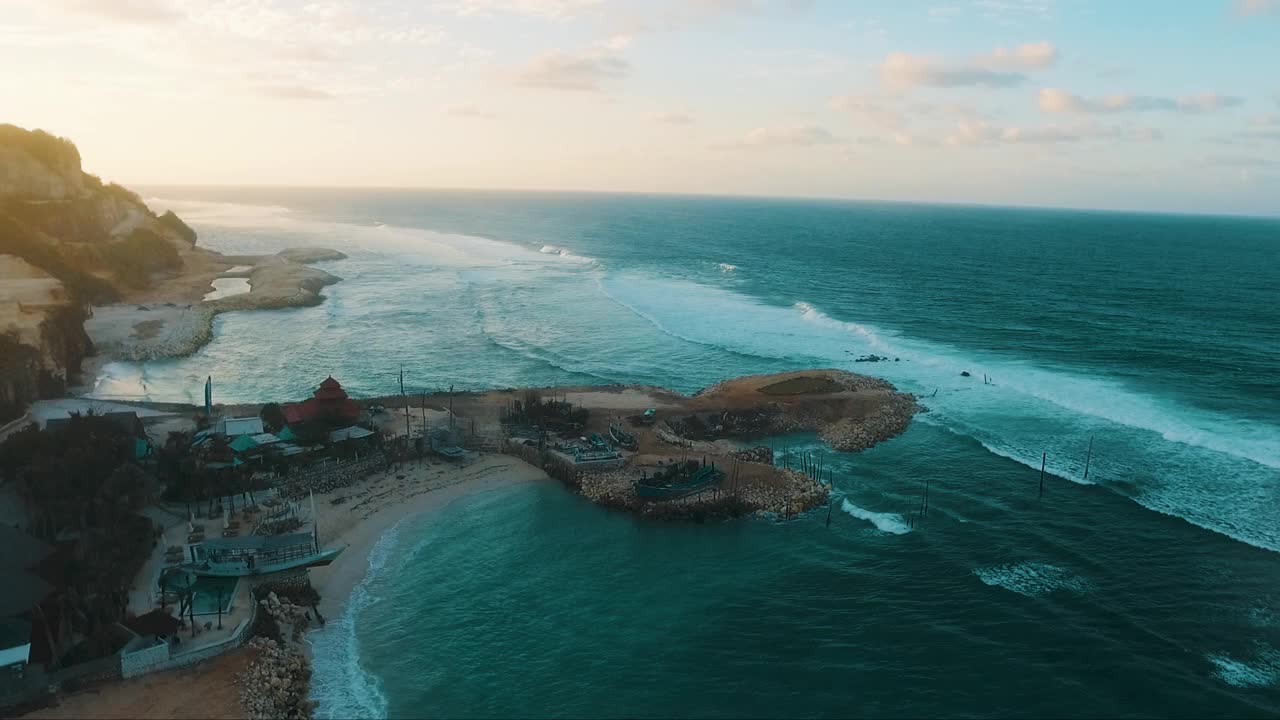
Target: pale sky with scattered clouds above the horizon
[(1149, 106)]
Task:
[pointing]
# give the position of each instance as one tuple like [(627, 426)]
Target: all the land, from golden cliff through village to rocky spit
[(145, 540)]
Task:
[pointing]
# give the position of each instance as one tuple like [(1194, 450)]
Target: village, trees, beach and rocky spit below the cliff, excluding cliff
[(218, 517)]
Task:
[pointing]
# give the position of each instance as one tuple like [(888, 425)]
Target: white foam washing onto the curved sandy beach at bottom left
[(340, 682)]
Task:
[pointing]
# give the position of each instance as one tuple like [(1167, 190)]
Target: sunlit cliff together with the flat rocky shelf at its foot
[(76, 249)]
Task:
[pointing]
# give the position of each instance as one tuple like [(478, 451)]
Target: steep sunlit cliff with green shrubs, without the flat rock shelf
[(67, 241)]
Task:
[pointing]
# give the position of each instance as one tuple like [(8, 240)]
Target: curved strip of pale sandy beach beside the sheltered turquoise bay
[(383, 500)]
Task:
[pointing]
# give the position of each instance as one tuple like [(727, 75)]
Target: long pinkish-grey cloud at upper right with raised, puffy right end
[(1000, 69)]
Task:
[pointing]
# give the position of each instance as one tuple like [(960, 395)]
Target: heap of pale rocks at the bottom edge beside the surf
[(276, 683)]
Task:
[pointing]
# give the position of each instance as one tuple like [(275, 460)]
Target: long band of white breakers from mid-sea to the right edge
[(1164, 450)]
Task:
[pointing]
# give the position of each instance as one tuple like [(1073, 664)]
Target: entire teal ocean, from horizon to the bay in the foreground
[(1153, 589)]
